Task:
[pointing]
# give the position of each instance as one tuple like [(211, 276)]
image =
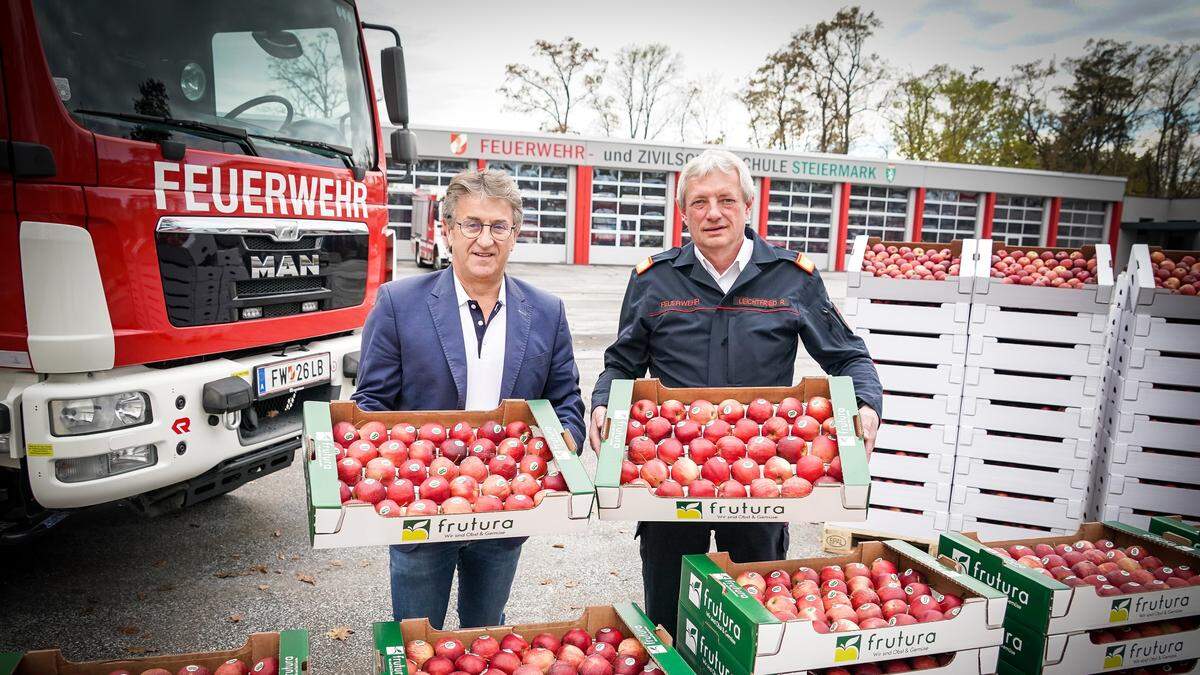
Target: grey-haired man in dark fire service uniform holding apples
[(725, 310)]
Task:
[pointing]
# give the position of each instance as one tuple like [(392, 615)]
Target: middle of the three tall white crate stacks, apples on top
[(1031, 402)]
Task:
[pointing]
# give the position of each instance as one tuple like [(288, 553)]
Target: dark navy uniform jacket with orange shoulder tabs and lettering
[(677, 324)]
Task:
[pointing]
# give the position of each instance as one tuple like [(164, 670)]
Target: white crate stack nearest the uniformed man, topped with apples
[(917, 334)]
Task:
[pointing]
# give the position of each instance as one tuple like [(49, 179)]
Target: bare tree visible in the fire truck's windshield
[(315, 81)]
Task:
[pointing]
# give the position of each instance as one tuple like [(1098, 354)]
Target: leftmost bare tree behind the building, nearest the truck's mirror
[(569, 74)]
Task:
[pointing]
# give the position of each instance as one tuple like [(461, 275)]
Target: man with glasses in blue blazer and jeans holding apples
[(467, 338)]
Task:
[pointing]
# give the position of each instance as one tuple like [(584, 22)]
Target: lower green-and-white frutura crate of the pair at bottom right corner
[(1070, 654)]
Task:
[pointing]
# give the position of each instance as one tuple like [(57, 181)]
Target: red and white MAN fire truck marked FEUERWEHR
[(193, 211)]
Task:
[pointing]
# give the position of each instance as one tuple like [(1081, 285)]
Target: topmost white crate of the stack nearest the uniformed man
[(952, 290)]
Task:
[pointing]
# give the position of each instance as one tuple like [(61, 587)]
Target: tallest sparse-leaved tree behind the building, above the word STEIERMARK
[(855, 76)]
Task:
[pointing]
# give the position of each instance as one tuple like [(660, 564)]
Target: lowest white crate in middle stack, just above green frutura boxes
[(1004, 506)]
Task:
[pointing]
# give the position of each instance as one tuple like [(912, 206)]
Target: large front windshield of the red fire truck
[(287, 74)]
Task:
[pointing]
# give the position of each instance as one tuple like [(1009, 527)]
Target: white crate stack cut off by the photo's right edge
[(1150, 439)]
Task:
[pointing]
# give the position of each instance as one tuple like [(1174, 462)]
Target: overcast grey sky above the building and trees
[(457, 52)]
